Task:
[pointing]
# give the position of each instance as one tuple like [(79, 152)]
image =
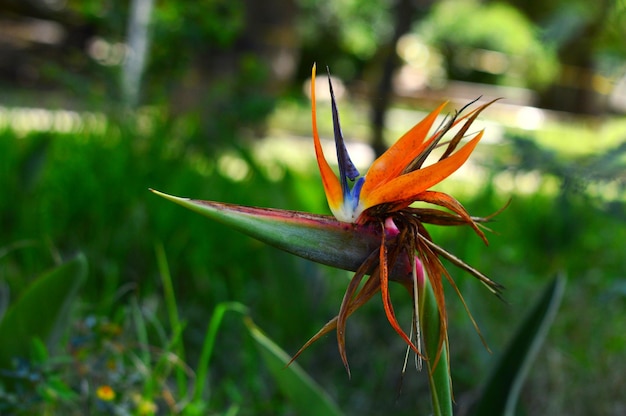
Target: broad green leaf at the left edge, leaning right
[(41, 311)]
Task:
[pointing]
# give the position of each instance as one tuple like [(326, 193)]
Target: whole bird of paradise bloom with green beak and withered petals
[(376, 231)]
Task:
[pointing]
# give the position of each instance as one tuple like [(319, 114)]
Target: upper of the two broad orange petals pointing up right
[(391, 163)]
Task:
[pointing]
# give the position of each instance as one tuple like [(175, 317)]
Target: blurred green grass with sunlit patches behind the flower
[(152, 323)]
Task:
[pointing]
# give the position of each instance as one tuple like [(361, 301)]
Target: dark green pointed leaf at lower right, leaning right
[(500, 393)]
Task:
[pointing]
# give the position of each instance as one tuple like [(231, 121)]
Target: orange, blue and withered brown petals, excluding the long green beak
[(384, 196)]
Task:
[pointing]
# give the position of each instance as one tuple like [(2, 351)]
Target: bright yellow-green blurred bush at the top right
[(468, 31)]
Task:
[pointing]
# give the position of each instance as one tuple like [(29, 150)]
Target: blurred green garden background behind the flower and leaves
[(101, 100)]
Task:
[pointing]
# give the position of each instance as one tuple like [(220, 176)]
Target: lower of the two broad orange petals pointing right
[(405, 188)]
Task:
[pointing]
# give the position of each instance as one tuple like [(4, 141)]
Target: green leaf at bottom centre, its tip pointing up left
[(306, 396)]
